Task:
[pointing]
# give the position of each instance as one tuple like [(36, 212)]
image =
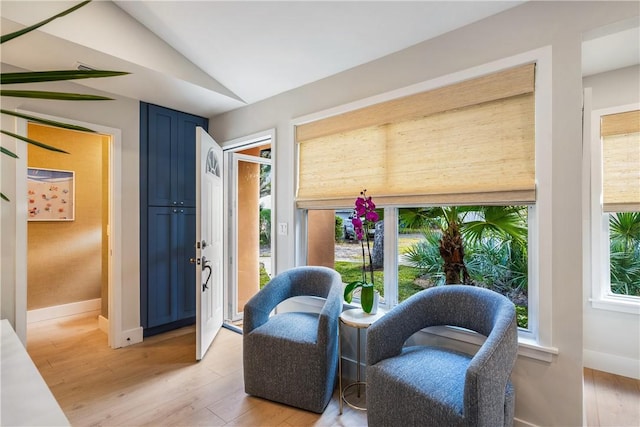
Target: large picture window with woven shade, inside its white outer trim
[(453, 173)]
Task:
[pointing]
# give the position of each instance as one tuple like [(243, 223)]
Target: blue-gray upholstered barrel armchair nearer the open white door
[(292, 357)]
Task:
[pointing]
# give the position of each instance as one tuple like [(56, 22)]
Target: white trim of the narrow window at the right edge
[(601, 295)]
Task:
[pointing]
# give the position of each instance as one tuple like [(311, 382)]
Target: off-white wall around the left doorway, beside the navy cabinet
[(121, 113)]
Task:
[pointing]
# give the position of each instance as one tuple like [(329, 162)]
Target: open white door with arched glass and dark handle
[(209, 238)]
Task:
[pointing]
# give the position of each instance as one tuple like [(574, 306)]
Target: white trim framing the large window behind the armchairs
[(536, 342)]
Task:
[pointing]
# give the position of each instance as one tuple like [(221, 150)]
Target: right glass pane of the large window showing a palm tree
[(484, 246)]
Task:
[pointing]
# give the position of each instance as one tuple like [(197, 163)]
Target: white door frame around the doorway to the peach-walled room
[(115, 227)]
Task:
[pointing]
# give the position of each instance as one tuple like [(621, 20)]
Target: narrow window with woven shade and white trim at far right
[(615, 208)]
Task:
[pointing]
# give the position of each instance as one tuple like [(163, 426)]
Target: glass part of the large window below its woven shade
[(492, 239)]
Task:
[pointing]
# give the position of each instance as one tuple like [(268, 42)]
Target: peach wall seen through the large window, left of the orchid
[(321, 238)]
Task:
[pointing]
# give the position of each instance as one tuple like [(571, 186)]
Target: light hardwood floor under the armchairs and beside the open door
[(158, 383)]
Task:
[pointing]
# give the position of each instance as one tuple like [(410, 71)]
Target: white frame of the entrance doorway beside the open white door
[(232, 146)]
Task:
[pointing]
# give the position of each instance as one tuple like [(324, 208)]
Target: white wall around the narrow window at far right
[(611, 338)]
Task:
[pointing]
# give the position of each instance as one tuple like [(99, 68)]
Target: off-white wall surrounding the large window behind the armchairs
[(547, 393)]
